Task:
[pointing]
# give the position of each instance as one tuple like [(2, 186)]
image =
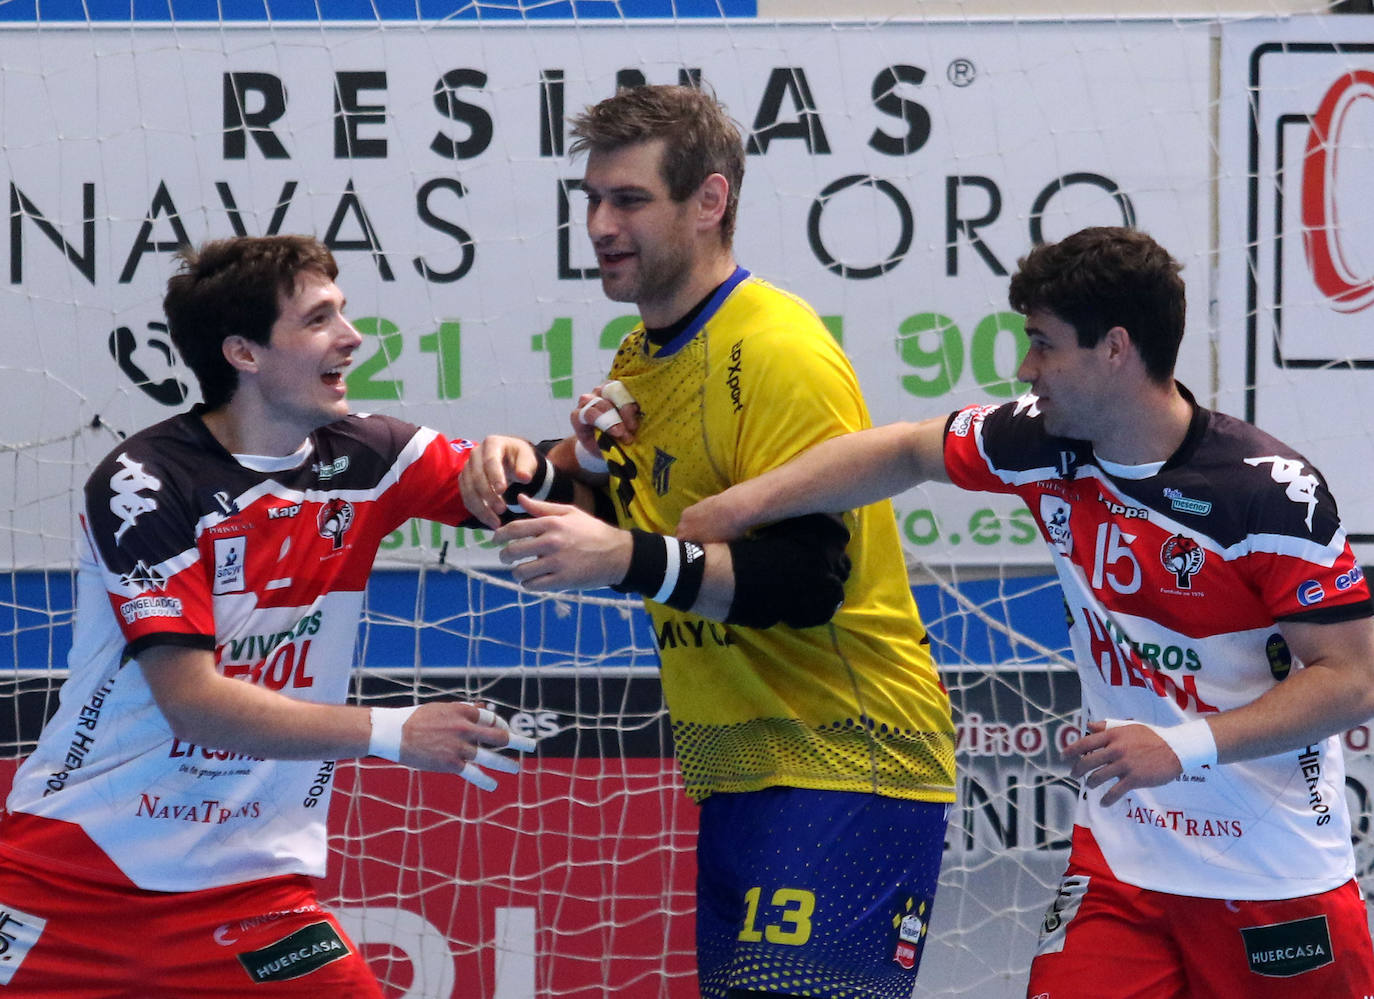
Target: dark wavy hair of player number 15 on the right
[(1108, 277)]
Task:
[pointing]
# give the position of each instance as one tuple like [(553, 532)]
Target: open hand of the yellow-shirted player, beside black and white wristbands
[(561, 548)]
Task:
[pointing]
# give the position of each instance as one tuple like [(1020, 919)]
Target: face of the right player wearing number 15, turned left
[(1072, 383)]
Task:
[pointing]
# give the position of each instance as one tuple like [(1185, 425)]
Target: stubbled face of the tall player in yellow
[(646, 244)]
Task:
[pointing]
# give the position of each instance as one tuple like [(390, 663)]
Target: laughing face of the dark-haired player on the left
[(295, 383)]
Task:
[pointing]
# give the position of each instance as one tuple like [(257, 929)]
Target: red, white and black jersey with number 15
[(1175, 578)]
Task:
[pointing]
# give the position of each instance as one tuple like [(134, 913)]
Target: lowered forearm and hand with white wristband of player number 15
[(1333, 692)]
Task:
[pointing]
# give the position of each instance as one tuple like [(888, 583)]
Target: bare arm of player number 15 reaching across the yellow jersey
[(839, 475)]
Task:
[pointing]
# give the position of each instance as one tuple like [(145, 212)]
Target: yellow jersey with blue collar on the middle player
[(850, 706)]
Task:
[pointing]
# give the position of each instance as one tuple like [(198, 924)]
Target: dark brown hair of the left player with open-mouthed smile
[(233, 288)]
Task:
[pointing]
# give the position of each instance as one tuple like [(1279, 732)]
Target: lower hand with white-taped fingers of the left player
[(458, 737)]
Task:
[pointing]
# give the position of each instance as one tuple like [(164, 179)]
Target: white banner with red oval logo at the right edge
[(1296, 278)]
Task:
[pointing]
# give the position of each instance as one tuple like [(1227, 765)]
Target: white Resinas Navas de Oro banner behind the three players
[(1033, 127)]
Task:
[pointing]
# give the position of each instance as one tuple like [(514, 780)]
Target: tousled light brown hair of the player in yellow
[(699, 138)]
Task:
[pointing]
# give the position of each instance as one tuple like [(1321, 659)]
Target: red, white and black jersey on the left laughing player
[(260, 560)]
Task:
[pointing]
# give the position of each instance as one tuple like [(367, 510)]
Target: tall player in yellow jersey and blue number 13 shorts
[(806, 710)]
